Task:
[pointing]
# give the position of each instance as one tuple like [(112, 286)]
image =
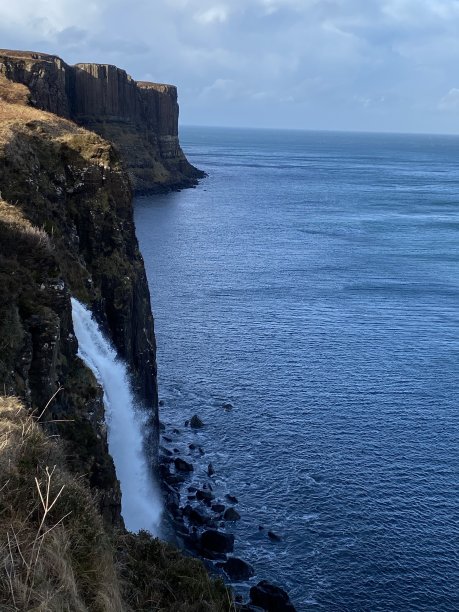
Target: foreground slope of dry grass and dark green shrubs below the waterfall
[(55, 551)]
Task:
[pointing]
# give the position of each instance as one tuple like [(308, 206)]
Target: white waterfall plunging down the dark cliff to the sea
[(141, 504)]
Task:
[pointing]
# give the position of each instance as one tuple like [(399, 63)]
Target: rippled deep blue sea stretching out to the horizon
[(312, 280)]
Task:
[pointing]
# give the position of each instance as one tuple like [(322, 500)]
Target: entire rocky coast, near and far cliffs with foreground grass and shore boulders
[(76, 142)]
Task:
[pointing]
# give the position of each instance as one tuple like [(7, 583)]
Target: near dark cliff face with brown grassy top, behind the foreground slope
[(66, 228)]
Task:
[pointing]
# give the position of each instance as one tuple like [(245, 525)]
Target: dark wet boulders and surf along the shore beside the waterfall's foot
[(199, 517)]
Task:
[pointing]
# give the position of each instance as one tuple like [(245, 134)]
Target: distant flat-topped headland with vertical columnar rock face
[(139, 118)]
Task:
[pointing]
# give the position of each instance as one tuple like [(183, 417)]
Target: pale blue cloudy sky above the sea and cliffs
[(371, 65)]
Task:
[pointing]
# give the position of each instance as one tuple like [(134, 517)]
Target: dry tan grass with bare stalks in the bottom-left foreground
[(54, 552)]
